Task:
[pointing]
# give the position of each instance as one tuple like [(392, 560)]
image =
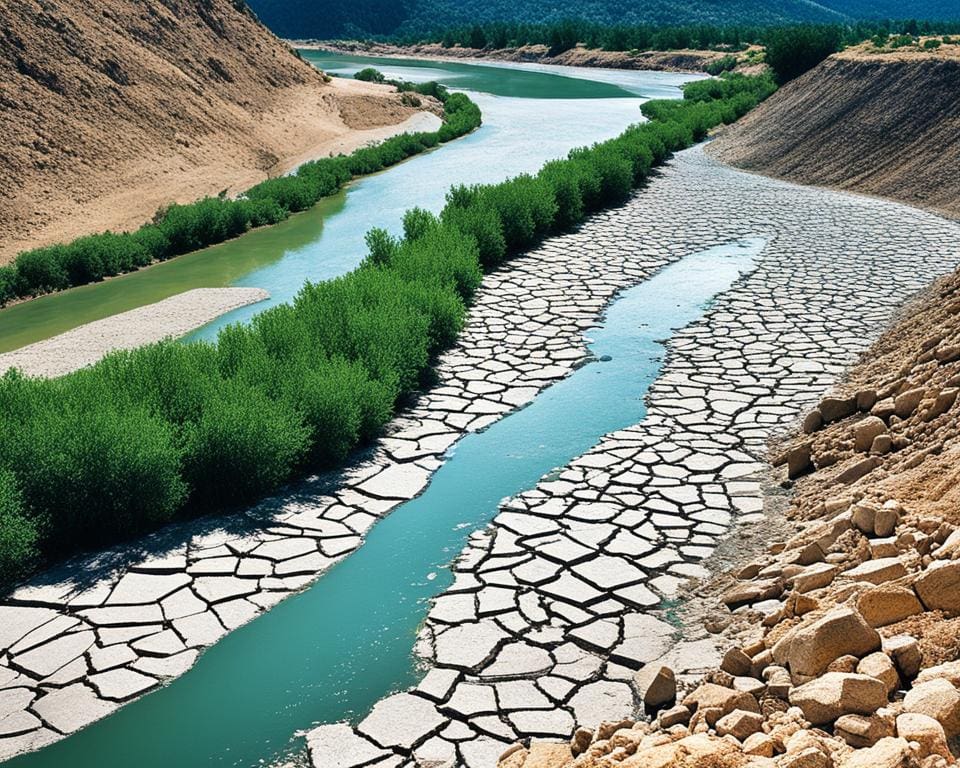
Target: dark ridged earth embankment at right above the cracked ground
[(882, 124)]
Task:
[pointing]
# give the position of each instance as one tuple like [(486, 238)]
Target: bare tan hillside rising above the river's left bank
[(110, 110)]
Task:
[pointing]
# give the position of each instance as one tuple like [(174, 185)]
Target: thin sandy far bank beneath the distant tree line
[(691, 61)]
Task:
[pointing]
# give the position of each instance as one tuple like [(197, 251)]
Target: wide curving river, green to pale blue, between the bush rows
[(580, 107)]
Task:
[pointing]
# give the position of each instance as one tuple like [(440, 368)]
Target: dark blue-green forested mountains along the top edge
[(358, 18)]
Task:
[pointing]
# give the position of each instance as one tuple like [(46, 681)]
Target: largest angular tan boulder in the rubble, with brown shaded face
[(842, 631)]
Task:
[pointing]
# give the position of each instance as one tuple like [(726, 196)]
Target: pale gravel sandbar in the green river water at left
[(170, 318)]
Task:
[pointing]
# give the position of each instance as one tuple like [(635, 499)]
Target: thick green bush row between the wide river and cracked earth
[(122, 446)]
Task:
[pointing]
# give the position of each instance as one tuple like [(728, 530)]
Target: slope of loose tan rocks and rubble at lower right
[(843, 639)]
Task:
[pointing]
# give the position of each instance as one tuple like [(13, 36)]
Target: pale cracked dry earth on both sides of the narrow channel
[(547, 618)]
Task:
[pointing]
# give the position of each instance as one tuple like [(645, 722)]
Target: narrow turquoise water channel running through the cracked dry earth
[(331, 652)]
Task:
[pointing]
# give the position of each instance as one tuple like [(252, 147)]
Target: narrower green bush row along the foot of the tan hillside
[(179, 229)]
